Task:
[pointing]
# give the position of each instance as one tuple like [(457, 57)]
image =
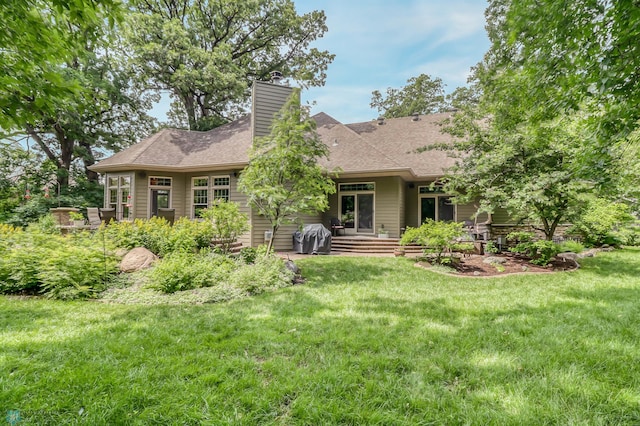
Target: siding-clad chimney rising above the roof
[(268, 99)]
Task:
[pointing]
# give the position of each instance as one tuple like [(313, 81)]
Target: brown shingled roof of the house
[(361, 148)]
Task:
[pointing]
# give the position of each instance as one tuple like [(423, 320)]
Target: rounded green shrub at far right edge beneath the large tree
[(603, 222)]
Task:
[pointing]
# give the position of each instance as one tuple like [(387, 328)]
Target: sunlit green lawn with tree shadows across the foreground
[(364, 341)]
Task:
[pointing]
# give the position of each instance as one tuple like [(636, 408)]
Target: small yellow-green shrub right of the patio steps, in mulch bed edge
[(435, 236)]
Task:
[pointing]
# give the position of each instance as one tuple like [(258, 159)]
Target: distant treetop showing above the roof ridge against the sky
[(421, 95)]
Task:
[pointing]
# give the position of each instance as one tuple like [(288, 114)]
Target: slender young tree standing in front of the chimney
[(283, 179)]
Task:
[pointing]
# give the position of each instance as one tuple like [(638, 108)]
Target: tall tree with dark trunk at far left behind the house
[(73, 97)]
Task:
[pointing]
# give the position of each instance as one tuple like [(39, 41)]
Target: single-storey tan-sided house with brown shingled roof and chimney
[(383, 182)]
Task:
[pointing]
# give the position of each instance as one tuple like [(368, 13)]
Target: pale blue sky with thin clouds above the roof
[(380, 44)]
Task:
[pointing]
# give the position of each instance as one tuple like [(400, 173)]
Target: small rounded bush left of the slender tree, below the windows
[(227, 221)]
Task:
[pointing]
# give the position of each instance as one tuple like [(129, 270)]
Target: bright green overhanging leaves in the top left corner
[(36, 38)]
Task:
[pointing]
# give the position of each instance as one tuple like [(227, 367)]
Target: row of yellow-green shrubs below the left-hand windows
[(158, 236)]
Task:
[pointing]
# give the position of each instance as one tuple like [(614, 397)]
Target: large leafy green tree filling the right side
[(551, 121)]
